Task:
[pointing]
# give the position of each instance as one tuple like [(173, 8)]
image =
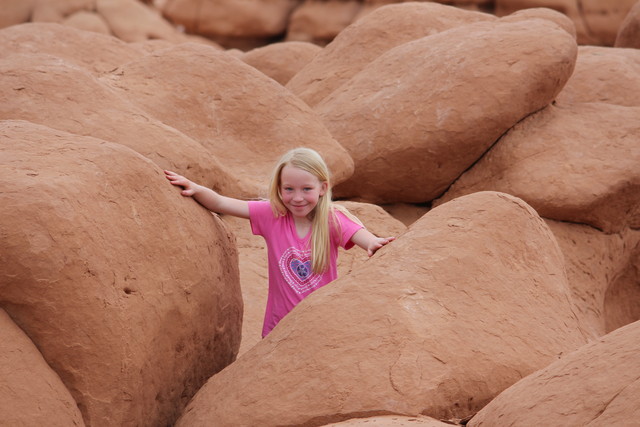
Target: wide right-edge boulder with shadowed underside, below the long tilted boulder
[(577, 163)]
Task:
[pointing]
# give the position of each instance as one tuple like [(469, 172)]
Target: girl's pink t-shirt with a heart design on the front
[(289, 259)]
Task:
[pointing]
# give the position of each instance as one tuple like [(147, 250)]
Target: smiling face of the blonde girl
[(300, 190)]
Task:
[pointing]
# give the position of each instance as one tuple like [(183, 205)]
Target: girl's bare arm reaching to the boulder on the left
[(208, 198)]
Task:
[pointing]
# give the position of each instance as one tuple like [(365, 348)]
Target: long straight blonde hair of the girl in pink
[(324, 221)]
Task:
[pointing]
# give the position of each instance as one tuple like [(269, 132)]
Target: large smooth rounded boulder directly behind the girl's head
[(242, 117)]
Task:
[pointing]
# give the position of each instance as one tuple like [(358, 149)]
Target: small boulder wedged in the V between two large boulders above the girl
[(281, 61)]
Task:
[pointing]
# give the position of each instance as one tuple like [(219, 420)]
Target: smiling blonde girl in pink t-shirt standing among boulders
[(300, 224)]
